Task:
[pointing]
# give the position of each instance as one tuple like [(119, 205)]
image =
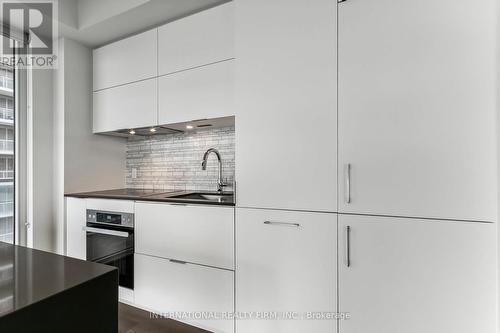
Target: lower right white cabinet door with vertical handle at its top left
[(417, 276)]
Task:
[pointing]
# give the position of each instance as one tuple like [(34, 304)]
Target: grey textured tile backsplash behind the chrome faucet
[(173, 161)]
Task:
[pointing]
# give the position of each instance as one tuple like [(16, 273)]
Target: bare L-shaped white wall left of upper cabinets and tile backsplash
[(91, 162)]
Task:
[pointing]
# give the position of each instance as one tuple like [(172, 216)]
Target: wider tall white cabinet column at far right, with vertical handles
[(417, 138)]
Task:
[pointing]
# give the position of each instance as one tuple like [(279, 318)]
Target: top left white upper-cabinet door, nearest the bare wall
[(128, 60)]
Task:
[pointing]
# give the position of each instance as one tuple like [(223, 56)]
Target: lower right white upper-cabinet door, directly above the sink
[(201, 93)]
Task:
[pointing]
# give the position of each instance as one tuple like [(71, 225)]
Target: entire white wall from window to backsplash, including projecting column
[(67, 157)]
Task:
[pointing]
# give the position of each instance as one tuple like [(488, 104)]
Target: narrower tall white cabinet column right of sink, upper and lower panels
[(286, 155)]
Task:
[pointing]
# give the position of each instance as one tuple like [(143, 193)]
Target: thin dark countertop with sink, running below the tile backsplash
[(150, 195)]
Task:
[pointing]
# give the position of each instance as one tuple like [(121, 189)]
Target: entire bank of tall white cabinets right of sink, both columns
[(416, 197)]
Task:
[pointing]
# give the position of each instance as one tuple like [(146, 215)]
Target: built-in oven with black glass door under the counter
[(110, 241)]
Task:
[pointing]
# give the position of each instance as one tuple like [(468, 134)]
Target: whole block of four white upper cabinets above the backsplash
[(189, 62)]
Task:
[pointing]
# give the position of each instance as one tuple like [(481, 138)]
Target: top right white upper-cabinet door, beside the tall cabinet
[(203, 38)]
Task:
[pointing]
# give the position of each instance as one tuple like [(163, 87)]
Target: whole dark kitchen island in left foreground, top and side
[(43, 292)]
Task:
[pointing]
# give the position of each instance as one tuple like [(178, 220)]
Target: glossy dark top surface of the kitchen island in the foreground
[(30, 276)]
